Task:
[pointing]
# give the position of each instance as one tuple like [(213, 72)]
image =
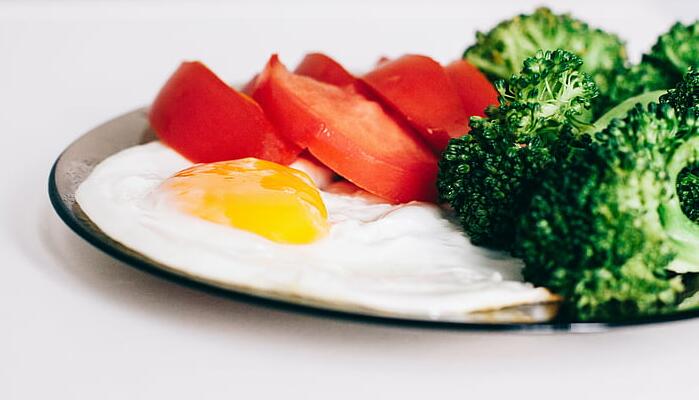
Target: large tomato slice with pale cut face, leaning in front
[(349, 133)]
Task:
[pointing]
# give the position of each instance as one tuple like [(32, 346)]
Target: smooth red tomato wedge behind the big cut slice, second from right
[(419, 90)]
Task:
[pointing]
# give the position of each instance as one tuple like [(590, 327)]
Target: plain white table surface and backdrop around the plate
[(75, 324)]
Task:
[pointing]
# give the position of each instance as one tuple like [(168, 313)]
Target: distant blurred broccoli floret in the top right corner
[(662, 67)]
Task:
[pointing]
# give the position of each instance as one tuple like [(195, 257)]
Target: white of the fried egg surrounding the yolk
[(408, 259)]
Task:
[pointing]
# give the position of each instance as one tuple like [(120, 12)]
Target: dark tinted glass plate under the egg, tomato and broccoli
[(77, 161)]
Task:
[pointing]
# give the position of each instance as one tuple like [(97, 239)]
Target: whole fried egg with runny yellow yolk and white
[(279, 232)]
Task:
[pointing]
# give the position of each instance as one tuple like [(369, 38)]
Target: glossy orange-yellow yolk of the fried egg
[(262, 197)]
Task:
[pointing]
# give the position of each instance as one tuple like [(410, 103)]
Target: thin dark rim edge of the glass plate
[(70, 219)]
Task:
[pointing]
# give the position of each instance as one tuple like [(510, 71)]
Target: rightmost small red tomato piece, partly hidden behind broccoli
[(473, 87)]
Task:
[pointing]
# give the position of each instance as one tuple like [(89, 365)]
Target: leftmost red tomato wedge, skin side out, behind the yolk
[(205, 120)]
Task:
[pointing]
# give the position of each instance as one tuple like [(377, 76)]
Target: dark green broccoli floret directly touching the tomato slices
[(486, 175)]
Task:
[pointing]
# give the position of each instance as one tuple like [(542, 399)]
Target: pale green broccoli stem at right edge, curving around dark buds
[(682, 231)]
